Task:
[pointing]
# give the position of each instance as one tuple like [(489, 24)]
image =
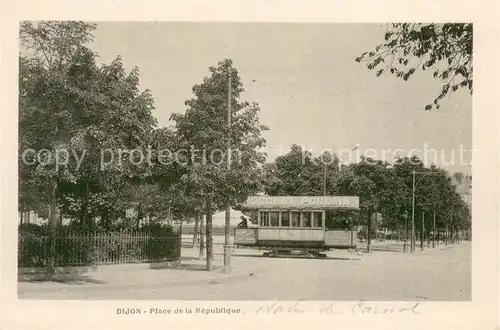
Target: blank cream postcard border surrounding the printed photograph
[(480, 313)]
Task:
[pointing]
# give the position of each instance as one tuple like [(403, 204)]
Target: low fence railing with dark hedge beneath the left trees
[(78, 249)]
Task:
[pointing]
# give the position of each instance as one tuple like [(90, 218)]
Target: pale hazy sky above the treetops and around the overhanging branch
[(304, 76)]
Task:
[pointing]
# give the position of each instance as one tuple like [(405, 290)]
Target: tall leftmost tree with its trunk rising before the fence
[(43, 117)]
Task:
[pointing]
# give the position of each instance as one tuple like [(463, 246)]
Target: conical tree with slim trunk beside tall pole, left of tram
[(203, 130)]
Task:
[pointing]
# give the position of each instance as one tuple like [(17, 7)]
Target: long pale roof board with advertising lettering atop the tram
[(301, 202)]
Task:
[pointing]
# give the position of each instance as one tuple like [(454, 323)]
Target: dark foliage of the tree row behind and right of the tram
[(382, 187)]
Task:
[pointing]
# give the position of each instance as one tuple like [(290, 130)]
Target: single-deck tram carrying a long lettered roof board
[(297, 223)]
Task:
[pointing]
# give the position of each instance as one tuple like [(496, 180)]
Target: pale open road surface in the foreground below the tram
[(439, 275)]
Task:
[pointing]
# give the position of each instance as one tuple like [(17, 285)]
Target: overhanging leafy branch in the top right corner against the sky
[(446, 49)]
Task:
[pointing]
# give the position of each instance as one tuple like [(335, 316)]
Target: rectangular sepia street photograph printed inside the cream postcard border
[(245, 162)]
